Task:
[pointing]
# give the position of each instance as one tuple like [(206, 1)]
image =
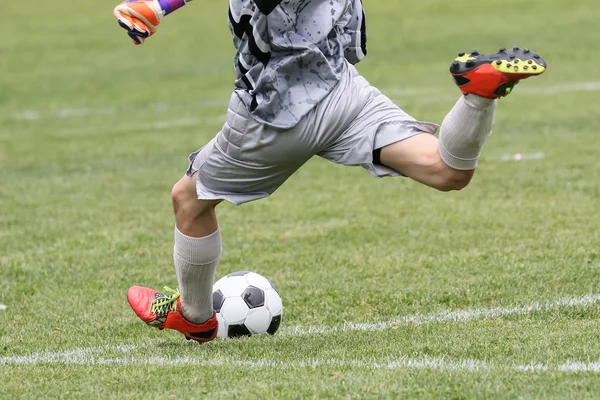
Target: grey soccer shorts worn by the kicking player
[(247, 161)]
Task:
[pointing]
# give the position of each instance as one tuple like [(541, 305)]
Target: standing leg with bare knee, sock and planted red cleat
[(195, 254)]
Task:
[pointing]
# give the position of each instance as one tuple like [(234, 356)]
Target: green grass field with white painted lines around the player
[(390, 289)]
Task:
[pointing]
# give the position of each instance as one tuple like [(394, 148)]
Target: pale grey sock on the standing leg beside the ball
[(196, 260)]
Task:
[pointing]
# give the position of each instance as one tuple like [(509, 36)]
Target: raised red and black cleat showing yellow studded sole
[(495, 75)]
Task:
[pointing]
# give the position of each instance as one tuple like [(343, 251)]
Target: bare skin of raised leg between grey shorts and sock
[(418, 157)]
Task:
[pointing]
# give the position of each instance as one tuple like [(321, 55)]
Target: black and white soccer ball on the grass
[(246, 304)]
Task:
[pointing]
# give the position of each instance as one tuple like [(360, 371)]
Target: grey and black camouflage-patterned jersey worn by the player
[(290, 53)]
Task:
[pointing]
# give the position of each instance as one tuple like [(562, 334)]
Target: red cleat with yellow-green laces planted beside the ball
[(162, 310)]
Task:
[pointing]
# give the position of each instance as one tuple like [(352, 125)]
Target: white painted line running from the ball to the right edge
[(444, 317)]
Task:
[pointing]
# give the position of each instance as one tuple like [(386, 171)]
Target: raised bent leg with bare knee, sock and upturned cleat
[(449, 163)]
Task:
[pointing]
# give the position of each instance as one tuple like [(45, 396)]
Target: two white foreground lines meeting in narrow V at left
[(88, 356)]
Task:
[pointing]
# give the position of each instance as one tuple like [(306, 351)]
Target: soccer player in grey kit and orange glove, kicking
[(297, 94)]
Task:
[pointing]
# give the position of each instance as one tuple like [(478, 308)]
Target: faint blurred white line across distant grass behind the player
[(408, 93)]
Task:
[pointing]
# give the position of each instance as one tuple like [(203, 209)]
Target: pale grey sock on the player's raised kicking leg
[(465, 129)]
